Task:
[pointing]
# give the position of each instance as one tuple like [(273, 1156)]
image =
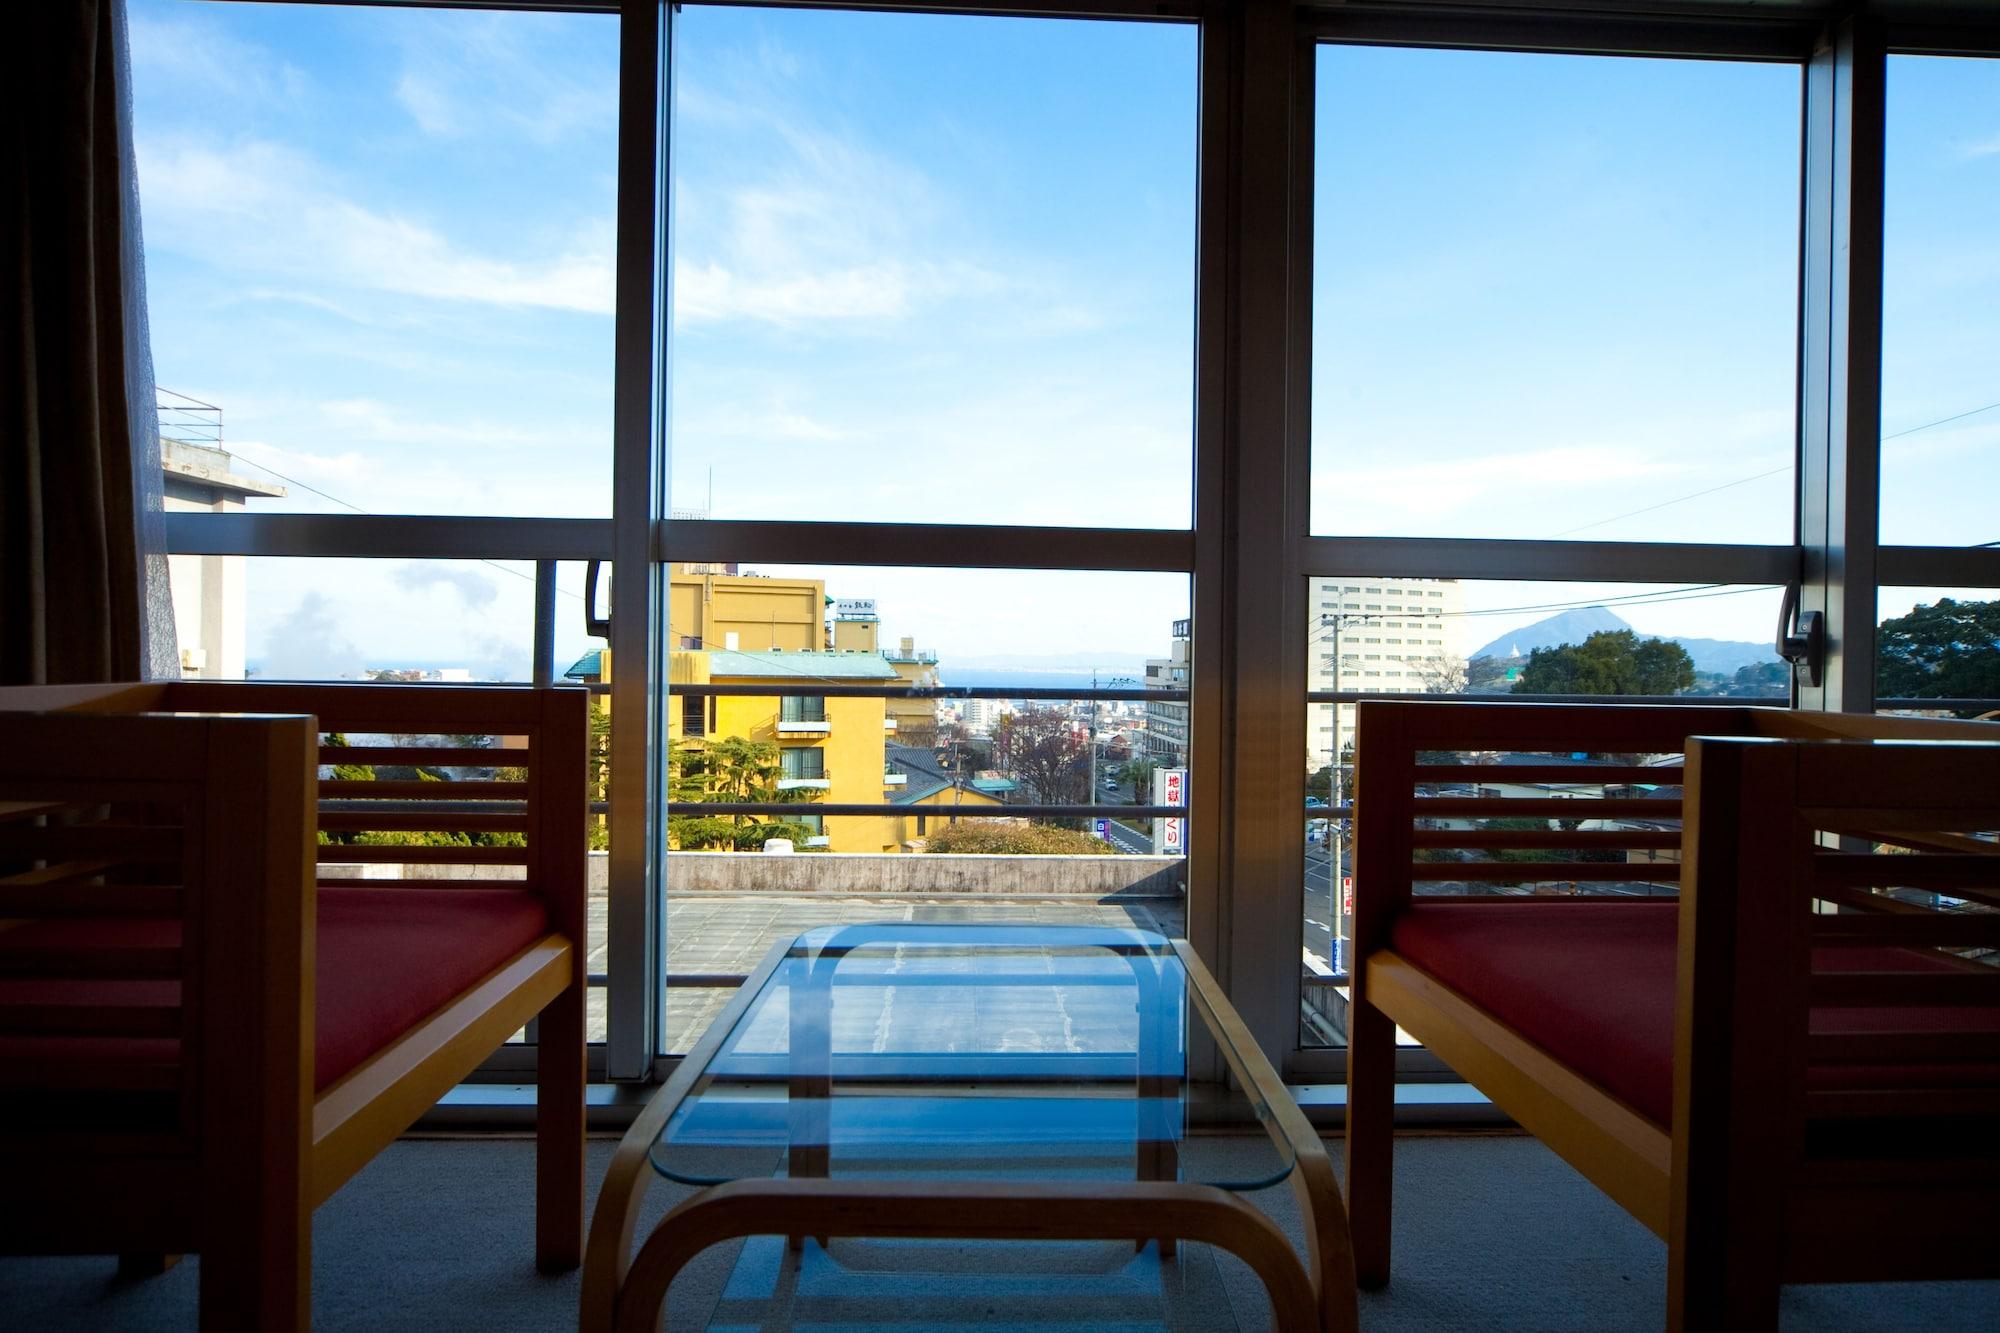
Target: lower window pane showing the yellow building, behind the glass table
[(977, 746)]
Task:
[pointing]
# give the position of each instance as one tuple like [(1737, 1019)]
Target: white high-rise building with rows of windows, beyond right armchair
[(1389, 635)]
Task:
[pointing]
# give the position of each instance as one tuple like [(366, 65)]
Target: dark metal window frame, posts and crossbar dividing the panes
[(1251, 437)]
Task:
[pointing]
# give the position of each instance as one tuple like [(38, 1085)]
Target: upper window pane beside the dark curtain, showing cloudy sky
[(381, 251)]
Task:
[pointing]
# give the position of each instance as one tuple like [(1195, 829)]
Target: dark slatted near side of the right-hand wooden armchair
[(1839, 1024)]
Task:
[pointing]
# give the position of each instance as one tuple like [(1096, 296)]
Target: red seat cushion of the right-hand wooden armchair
[(1593, 984)]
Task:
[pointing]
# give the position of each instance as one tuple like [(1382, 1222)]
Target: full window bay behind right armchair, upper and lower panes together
[(1519, 261)]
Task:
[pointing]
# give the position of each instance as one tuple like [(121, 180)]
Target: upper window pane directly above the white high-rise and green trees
[(1519, 271)]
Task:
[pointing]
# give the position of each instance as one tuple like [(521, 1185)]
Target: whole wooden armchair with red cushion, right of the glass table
[(1791, 1072)]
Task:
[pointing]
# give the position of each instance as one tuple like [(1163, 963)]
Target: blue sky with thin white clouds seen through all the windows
[(941, 269)]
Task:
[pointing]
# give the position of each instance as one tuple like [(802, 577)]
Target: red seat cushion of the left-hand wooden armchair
[(387, 960)]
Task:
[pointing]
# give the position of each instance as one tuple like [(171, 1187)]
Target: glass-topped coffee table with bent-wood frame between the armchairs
[(973, 1082)]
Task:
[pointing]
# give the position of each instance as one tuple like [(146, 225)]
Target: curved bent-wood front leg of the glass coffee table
[(965, 1210)]
